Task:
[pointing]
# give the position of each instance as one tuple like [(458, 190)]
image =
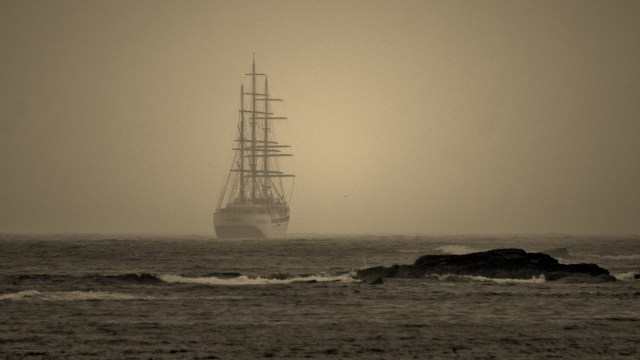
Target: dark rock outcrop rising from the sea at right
[(499, 263)]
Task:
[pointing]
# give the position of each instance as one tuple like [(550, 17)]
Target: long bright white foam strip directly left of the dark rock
[(246, 280)]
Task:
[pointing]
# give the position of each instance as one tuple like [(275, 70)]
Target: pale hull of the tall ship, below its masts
[(255, 226)]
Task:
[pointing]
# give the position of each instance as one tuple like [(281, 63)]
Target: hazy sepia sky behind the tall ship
[(404, 116)]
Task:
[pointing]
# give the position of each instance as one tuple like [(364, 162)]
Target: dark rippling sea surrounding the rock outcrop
[(87, 296)]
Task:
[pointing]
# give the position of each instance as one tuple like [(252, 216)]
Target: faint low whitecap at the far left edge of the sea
[(68, 295)]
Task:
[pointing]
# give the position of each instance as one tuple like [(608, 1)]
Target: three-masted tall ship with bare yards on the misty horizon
[(253, 202)]
